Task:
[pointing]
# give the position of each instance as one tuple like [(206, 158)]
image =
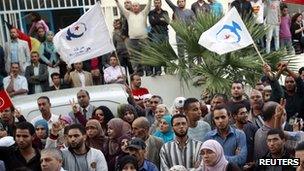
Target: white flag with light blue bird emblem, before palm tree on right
[(227, 35)]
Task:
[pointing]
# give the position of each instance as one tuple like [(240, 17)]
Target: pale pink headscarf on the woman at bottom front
[(221, 162)]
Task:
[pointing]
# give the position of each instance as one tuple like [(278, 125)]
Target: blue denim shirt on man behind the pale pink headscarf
[(235, 139)]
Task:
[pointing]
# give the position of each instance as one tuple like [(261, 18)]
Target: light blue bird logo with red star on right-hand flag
[(229, 33)]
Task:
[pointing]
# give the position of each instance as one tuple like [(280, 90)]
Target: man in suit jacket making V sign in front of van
[(83, 112)]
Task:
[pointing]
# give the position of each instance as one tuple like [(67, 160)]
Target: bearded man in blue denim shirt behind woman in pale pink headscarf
[(232, 140)]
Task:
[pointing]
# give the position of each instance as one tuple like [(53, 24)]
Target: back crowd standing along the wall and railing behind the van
[(39, 60)]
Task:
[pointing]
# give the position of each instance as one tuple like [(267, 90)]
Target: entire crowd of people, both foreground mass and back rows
[(219, 133)]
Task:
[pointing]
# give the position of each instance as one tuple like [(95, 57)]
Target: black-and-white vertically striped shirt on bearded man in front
[(172, 154)]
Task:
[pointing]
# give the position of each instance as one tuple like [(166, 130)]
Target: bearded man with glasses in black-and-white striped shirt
[(182, 150)]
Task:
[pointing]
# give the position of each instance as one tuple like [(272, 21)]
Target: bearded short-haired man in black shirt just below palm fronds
[(237, 93)]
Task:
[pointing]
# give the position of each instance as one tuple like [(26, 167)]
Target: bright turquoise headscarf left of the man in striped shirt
[(169, 135)]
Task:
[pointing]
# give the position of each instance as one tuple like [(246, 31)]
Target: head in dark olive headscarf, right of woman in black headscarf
[(127, 113)]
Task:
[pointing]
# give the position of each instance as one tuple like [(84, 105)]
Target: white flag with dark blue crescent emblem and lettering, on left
[(85, 39)]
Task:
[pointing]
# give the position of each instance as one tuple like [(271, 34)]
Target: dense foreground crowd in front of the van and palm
[(215, 134)]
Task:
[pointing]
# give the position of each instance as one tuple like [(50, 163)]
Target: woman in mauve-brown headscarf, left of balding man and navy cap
[(118, 132)]
